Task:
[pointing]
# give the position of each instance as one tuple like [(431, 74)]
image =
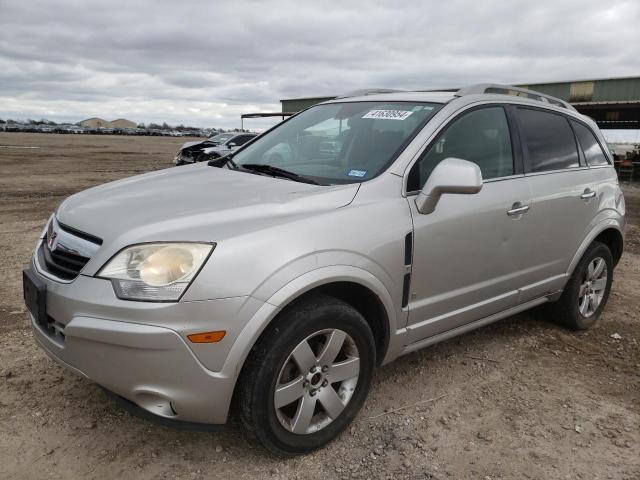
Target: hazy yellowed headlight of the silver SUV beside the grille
[(155, 271)]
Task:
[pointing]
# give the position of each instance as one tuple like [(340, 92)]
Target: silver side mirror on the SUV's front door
[(451, 175)]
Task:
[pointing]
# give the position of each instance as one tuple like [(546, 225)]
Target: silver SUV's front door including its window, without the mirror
[(466, 259)]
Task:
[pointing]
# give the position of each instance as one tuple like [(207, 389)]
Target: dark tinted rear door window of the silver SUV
[(549, 140)]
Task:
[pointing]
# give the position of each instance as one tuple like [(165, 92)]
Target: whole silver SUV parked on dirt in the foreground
[(357, 231)]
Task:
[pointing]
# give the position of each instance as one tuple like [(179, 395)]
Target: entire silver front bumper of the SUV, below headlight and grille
[(139, 350)]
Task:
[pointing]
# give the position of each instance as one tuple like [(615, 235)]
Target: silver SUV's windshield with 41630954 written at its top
[(340, 142)]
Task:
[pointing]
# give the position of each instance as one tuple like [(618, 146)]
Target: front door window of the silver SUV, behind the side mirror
[(480, 136)]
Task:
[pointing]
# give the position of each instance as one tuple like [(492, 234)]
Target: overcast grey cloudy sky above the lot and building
[(204, 63)]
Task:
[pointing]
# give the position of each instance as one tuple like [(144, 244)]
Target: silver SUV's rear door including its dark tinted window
[(564, 198)]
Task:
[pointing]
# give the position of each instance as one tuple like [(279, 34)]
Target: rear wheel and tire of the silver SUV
[(587, 291)]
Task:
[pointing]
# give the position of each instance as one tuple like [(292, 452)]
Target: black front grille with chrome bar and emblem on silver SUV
[(65, 251)]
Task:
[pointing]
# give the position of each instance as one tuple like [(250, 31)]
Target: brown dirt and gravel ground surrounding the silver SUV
[(521, 399)]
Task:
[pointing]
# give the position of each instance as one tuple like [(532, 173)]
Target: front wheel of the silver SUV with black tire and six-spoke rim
[(307, 376)]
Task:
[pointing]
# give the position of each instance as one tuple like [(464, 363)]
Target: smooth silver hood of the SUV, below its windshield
[(194, 203)]
